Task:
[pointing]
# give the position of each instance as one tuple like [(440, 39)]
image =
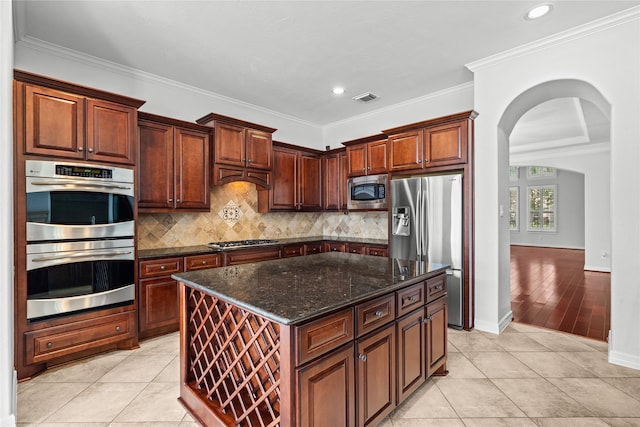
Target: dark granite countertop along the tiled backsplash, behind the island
[(203, 249)]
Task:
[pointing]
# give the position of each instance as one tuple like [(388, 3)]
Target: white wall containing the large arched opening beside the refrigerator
[(587, 54)]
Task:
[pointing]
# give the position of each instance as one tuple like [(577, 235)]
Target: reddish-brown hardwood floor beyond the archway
[(549, 288)]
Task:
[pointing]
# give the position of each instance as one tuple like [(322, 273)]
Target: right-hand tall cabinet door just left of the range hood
[(192, 169)]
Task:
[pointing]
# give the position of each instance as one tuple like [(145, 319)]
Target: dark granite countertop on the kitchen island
[(293, 290)]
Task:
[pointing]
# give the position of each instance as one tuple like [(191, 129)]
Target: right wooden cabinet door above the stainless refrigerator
[(446, 144)]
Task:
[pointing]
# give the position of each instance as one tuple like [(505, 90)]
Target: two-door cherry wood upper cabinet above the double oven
[(65, 120)]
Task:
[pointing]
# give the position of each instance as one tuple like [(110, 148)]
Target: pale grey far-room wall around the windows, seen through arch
[(569, 211)]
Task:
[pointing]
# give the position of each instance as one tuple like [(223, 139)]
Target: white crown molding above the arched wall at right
[(575, 33)]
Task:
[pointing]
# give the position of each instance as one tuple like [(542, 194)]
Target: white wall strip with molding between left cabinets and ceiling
[(162, 96)]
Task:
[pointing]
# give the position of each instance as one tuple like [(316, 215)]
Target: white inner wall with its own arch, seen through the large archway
[(595, 165)]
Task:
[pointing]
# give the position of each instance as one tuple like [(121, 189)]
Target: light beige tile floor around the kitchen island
[(525, 376)]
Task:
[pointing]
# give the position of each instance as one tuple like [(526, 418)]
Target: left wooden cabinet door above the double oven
[(54, 123)]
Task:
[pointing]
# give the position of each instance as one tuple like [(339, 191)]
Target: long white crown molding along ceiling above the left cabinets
[(39, 45)]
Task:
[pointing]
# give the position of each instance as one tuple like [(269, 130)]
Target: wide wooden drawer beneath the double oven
[(58, 341)]
